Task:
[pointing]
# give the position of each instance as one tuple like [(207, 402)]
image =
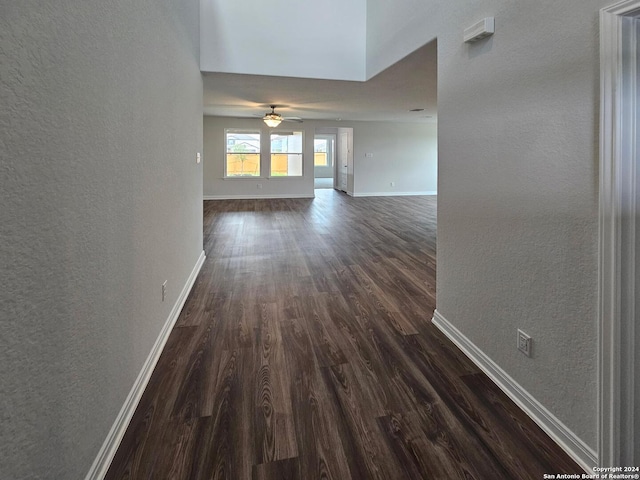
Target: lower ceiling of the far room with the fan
[(389, 96)]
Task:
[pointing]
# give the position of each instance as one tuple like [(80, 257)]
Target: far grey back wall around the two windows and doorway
[(403, 153)]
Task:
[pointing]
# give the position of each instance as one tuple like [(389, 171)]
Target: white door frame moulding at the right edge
[(618, 209)]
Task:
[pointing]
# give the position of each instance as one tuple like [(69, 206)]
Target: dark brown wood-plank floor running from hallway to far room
[(305, 351)]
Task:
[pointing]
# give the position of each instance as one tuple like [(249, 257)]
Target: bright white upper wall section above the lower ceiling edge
[(285, 38)]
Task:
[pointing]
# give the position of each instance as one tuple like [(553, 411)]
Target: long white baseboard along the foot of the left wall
[(108, 450)]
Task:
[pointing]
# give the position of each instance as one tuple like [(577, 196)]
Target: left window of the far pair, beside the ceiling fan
[(243, 153)]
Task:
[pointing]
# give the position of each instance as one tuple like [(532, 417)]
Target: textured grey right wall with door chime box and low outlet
[(518, 183)]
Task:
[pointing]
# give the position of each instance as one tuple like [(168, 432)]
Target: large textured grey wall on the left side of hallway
[(101, 199)]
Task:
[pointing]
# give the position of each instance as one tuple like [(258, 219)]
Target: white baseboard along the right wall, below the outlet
[(559, 432)]
